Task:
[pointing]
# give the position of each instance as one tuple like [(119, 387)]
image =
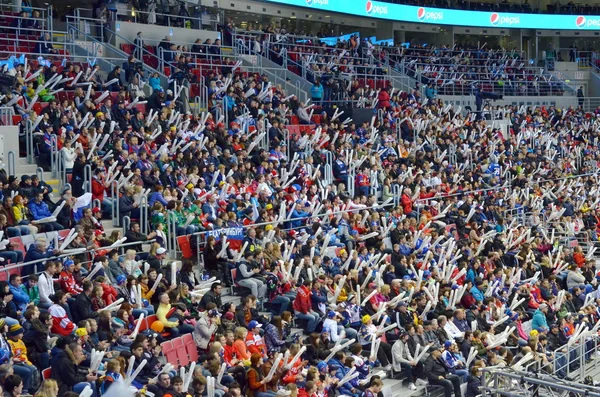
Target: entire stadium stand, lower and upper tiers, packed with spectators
[(265, 246)]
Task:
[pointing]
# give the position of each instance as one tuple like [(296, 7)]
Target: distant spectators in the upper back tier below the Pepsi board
[(352, 68)]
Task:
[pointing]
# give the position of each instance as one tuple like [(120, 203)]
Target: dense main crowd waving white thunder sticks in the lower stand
[(438, 230)]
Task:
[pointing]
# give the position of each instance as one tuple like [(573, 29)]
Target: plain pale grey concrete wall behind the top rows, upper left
[(153, 34)]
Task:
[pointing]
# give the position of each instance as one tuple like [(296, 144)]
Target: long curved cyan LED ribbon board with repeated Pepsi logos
[(439, 16)]
